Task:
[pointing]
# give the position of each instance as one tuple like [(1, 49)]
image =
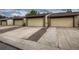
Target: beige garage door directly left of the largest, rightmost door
[(35, 22)]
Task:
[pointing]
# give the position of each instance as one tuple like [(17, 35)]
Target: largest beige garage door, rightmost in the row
[(62, 22)]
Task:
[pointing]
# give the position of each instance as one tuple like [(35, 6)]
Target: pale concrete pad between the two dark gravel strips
[(22, 33)]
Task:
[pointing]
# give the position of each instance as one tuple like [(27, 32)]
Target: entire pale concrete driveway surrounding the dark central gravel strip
[(53, 39)]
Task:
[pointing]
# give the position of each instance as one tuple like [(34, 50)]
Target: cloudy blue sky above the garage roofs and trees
[(22, 12)]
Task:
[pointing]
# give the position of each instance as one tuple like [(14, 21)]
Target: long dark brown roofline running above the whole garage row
[(52, 15)]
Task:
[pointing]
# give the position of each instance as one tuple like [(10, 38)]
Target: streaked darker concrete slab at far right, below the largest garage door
[(68, 38)]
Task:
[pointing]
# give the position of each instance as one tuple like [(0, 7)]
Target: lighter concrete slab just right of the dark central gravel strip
[(49, 38)]
